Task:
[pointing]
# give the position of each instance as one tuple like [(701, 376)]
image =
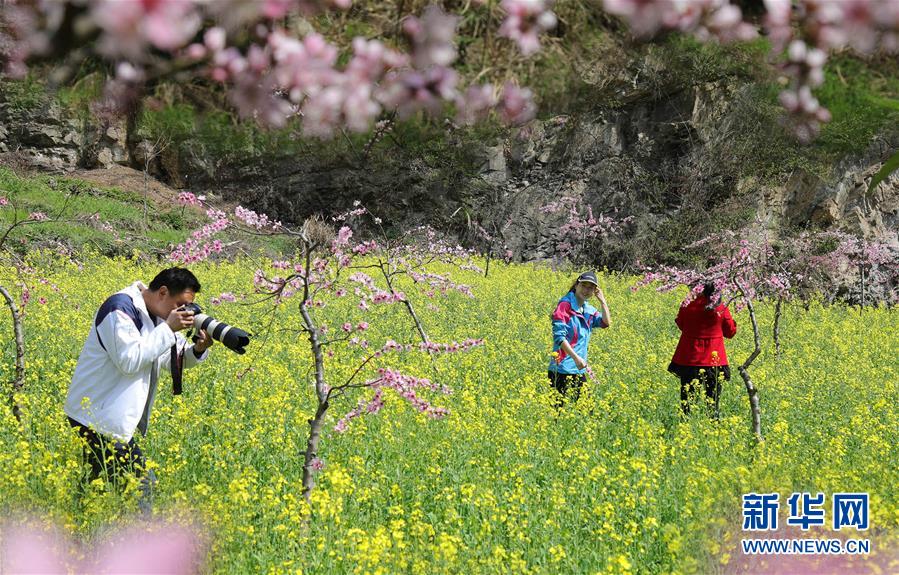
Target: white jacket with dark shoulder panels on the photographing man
[(114, 384)]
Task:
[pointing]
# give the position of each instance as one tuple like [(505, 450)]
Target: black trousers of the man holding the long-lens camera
[(110, 459)]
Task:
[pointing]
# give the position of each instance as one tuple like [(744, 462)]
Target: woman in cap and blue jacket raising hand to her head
[(574, 319)]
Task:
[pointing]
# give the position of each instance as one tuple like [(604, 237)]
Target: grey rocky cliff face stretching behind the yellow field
[(659, 162)]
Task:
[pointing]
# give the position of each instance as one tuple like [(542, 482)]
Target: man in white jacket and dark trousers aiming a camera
[(133, 336)]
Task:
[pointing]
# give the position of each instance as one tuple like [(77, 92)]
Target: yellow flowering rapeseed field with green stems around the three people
[(617, 483)]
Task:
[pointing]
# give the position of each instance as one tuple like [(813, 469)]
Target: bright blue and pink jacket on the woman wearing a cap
[(574, 324)]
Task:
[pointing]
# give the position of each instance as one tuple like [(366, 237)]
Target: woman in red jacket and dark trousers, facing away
[(700, 354)]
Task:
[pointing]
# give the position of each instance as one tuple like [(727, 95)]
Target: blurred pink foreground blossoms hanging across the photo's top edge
[(272, 76)]
